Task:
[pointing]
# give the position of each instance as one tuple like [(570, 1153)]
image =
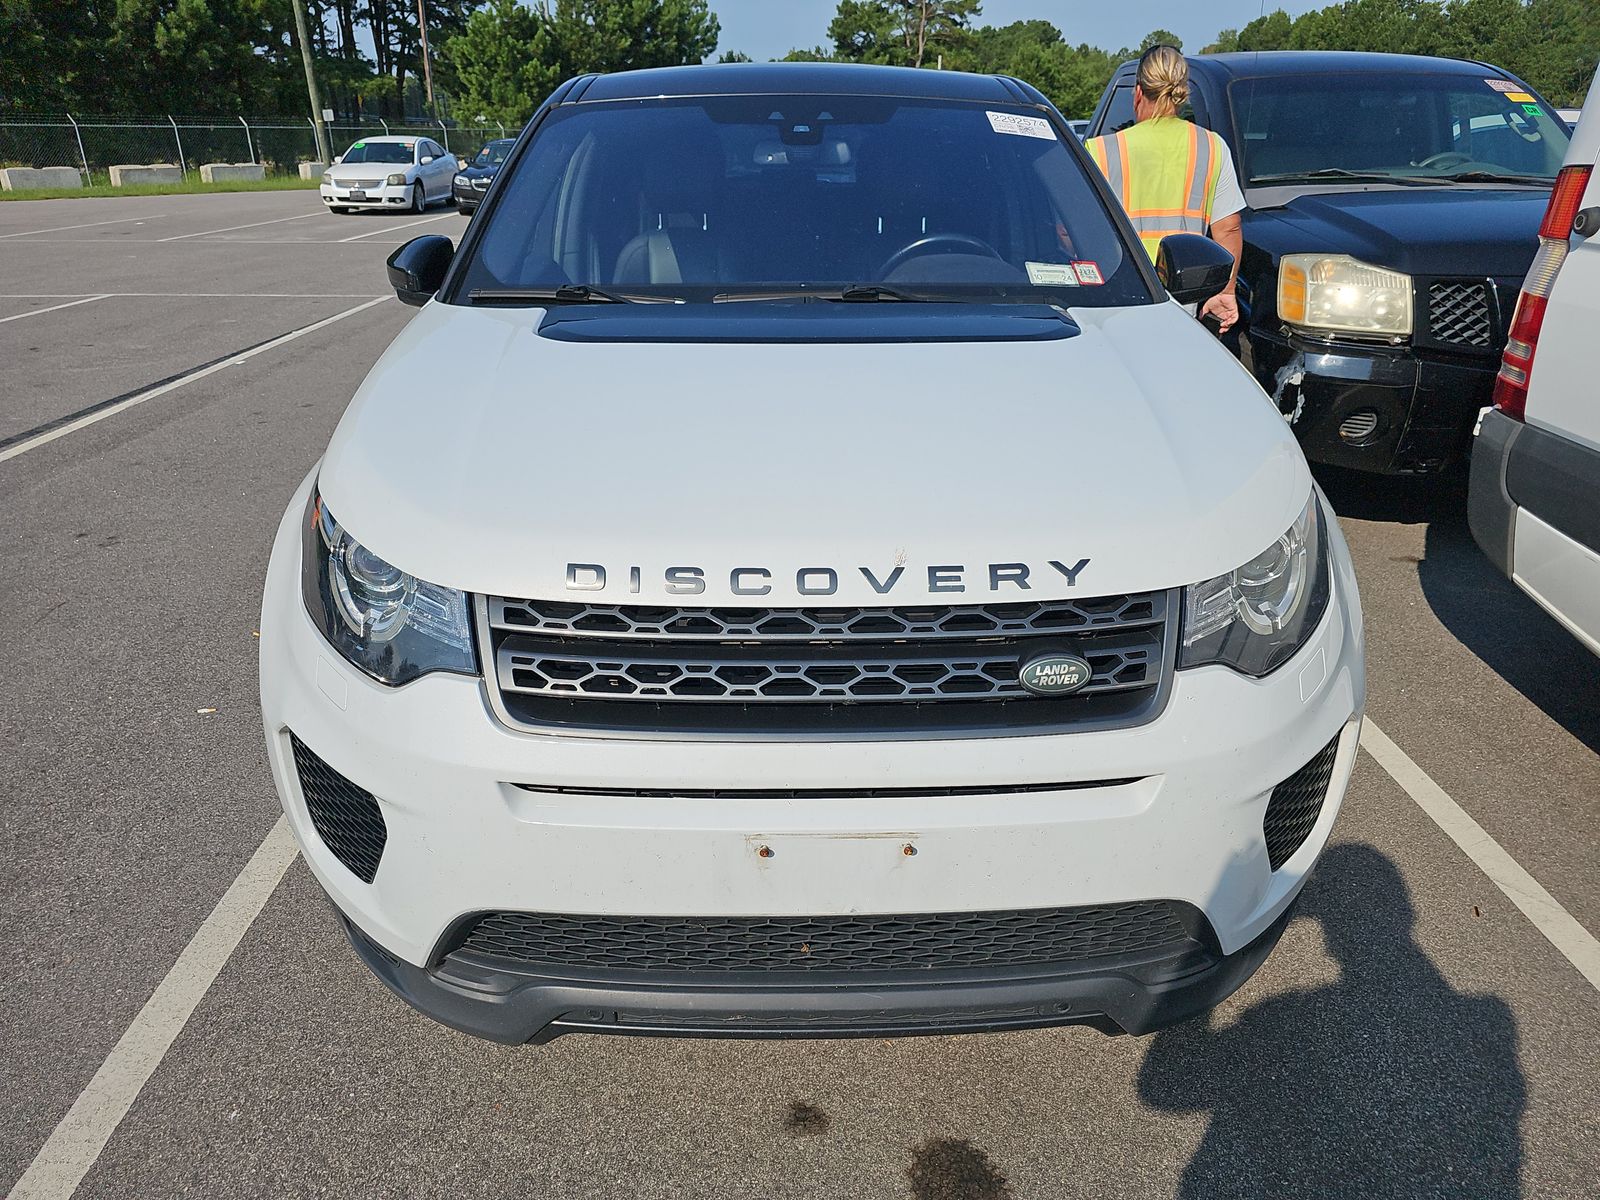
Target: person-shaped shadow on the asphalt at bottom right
[(1388, 1082)]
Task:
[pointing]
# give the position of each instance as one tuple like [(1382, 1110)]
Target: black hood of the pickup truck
[(1422, 231)]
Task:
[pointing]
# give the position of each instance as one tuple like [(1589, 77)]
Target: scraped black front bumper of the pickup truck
[(1422, 406)]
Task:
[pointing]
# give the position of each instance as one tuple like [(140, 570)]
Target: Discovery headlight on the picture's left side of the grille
[(388, 623)]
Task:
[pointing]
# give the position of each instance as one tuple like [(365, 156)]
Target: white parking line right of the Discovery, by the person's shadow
[(1564, 932)]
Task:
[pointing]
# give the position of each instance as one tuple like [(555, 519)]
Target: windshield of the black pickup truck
[(1409, 127)]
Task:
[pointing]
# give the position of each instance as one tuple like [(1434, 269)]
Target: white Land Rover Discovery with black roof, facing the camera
[(852, 598)]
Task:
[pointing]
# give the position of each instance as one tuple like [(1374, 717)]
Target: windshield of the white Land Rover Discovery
[(729, 198)]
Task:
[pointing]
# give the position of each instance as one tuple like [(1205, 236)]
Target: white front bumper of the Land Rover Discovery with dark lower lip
[(1172, 810)]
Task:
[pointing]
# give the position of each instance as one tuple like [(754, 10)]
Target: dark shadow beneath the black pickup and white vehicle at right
[(1481, 607)]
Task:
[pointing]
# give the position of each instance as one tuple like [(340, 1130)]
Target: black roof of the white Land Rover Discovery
[(822, 79)]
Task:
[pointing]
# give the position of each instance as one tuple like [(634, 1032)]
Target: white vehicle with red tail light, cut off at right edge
[(1535, 495)]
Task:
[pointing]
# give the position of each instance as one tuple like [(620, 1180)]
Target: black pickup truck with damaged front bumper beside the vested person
[(1394, 207)]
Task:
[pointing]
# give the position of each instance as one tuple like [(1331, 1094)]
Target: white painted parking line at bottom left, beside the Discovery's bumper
[(79, 1140)]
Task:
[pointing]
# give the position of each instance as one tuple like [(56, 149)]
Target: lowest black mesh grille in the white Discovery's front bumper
[(863, 943)]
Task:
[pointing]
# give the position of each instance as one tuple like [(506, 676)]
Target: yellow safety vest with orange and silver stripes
[(1164, 172)]
